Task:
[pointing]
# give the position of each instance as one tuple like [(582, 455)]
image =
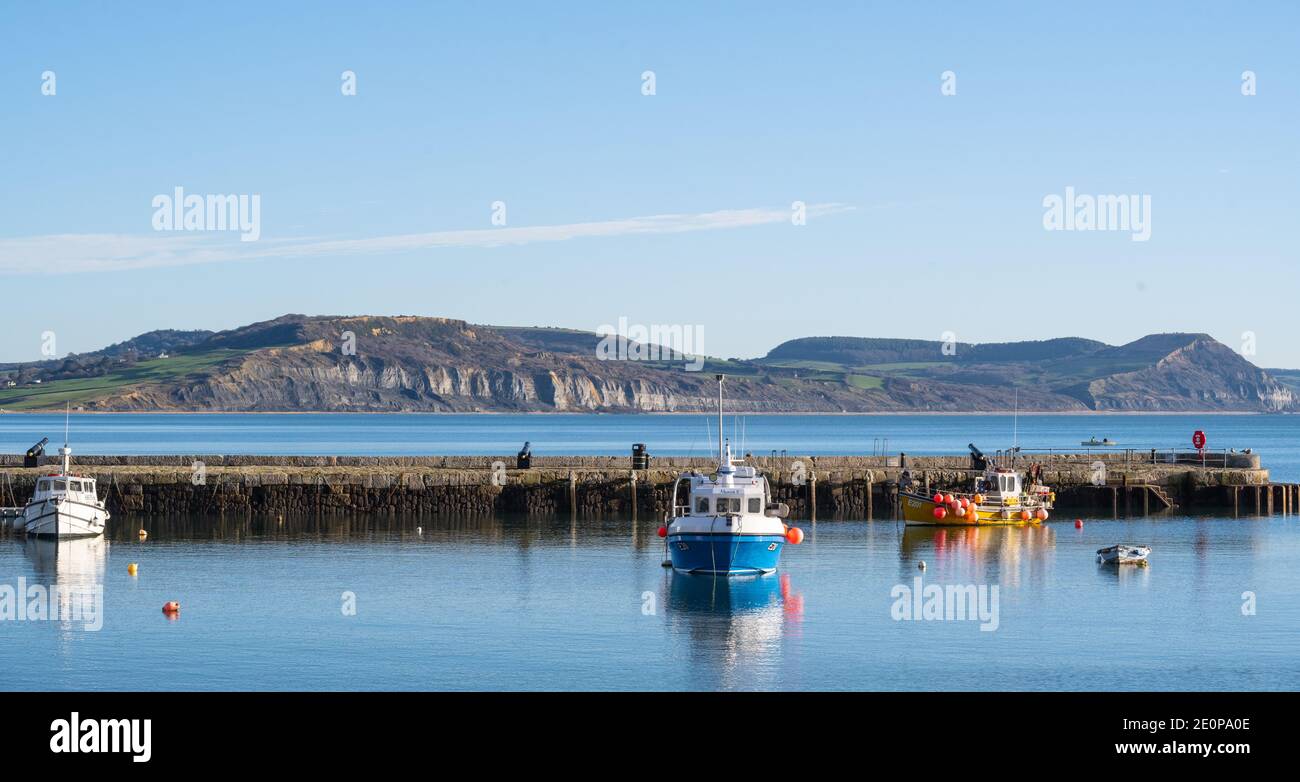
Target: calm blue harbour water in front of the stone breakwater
[(557, 606)]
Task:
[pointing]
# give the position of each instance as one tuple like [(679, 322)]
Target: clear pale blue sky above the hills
[(929, 208)]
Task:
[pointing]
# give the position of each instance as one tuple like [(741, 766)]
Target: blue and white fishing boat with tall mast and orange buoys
[(729, 524)]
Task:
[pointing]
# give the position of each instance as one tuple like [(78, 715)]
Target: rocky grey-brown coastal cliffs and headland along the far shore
[(388, 364)]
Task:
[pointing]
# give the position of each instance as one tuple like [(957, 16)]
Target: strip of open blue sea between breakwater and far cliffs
[(1276, 437)]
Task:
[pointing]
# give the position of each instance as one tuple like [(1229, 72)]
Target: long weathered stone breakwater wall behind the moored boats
[(1124, 484)]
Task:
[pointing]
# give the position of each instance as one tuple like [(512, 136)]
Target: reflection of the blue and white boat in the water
[(735, 627)]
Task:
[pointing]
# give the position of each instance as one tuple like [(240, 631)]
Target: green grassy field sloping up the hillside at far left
[(57, 394)]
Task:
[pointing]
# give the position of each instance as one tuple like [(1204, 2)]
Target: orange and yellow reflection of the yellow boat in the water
[(1007, 555)]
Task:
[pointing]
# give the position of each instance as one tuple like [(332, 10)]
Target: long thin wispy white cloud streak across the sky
[(66, 254)]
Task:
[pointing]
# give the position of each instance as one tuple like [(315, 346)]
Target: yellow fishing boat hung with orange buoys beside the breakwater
[(1000, 497)]
